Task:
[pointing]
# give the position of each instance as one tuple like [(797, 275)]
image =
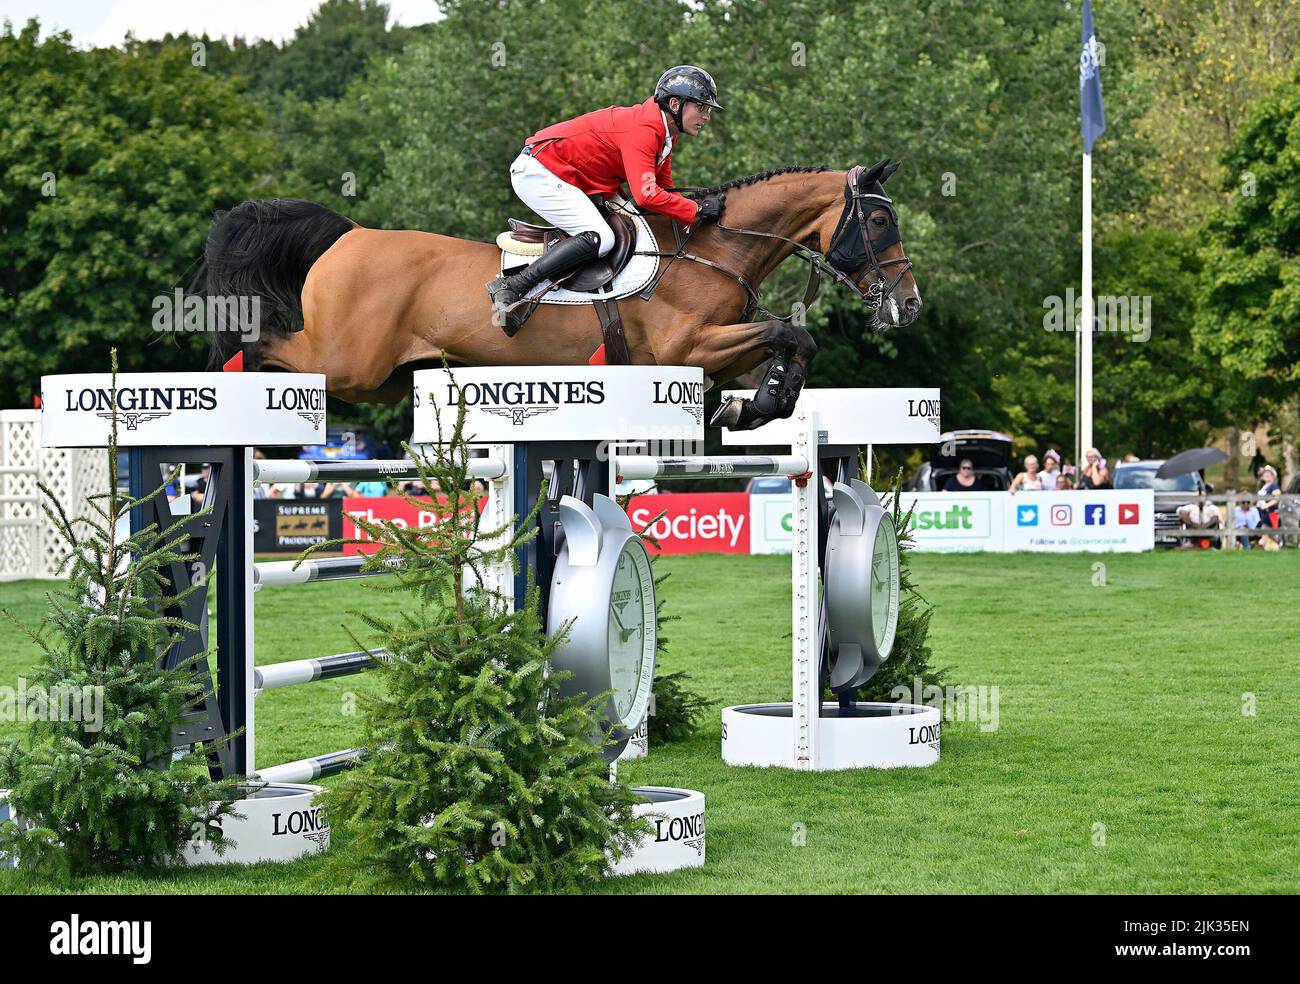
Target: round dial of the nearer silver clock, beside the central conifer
[(632, 634)]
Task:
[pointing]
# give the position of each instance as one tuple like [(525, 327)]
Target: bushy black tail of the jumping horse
[(265, 250)]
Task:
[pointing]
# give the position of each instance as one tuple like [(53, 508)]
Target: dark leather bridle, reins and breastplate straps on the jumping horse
[(852, 250)]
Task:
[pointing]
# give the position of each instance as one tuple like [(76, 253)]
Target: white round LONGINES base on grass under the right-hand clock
[(881, 736)]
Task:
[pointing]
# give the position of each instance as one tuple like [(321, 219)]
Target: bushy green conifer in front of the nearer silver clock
[(480, 777)]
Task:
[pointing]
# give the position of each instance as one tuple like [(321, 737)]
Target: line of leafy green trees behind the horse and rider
[(115, 159)]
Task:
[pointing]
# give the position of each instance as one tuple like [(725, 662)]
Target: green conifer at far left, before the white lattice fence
[(109, 794)]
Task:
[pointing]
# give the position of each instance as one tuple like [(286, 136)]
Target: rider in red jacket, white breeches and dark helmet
[(592, 155)]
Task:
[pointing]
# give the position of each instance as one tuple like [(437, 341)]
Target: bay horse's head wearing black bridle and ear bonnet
[(866, 248)]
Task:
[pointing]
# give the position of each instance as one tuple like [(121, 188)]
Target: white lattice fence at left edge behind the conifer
[(29, 547)]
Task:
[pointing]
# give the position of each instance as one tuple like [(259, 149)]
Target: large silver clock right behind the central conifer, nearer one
[(604, 591)]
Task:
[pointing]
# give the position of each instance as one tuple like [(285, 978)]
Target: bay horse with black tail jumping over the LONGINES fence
[(366, 307)]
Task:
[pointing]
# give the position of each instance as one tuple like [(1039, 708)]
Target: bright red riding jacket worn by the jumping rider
[(599, 151)]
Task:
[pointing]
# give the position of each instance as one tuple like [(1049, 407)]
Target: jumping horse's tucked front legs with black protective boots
[(791, 350)]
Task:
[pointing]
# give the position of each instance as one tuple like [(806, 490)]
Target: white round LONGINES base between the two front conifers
[(279, 823)]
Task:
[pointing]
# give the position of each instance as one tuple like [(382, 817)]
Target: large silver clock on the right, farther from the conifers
[(863, 586)]
